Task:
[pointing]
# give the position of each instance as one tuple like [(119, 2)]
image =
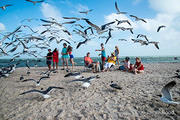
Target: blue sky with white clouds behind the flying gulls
[(155, 12)]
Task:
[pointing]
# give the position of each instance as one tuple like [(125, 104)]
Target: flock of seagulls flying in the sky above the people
[(31, 41)]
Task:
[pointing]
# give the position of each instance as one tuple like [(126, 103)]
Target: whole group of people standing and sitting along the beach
[(105, 64)]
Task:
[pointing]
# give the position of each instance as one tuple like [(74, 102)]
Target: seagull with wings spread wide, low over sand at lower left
[(43, 93)]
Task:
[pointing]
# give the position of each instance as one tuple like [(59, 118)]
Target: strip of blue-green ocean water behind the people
[(41, 62)]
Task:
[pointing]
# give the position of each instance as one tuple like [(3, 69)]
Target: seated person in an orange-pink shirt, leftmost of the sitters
[(90, 64)]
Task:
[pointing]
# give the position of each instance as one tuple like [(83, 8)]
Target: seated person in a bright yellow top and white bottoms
[(111, 61)]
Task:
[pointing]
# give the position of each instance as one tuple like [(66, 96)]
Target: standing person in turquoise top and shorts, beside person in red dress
[(64, 56)]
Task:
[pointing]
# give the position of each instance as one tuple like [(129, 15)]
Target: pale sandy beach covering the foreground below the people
[(137, 100)]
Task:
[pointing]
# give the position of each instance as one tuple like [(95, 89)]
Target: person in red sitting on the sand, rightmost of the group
[(138, 66)]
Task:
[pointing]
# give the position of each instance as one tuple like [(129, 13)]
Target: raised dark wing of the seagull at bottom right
[(166, 90)]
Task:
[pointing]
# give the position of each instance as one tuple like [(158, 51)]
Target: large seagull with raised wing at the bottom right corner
[(166, 96)]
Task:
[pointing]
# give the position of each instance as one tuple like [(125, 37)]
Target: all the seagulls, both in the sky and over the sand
[(30, 41)]
